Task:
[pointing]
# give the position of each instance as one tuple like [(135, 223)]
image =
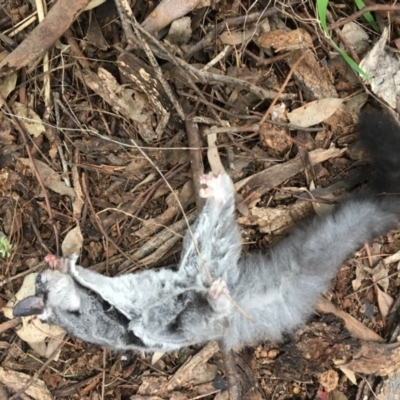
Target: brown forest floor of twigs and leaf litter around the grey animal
[(121, 123)]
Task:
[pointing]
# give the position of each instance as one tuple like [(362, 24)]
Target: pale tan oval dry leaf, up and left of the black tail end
[(314, 112)]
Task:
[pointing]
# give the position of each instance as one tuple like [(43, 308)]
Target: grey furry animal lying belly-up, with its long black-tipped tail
[(278, 289)]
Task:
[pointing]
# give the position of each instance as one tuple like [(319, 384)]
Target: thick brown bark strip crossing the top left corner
[(43, 37)]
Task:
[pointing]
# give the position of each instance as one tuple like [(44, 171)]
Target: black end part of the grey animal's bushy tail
[(380, 136)]
